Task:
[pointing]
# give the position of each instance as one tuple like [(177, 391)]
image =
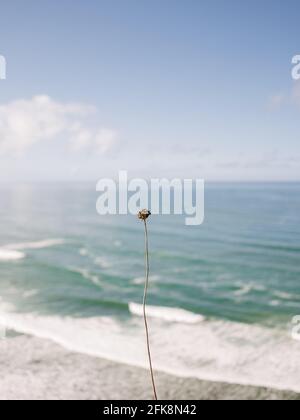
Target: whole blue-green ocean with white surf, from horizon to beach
[(222, 295)]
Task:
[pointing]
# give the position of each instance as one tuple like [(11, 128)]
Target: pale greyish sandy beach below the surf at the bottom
[(37, 369)]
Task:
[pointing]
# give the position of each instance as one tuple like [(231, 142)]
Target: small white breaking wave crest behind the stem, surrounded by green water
[(166, 314)]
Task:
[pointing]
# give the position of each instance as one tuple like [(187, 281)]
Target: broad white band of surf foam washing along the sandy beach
[(211, 350)]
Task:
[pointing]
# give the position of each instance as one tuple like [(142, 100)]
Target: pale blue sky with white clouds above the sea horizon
[(160, 88)]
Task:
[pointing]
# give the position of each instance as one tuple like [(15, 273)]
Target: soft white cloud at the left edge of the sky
[(23, 123)]
